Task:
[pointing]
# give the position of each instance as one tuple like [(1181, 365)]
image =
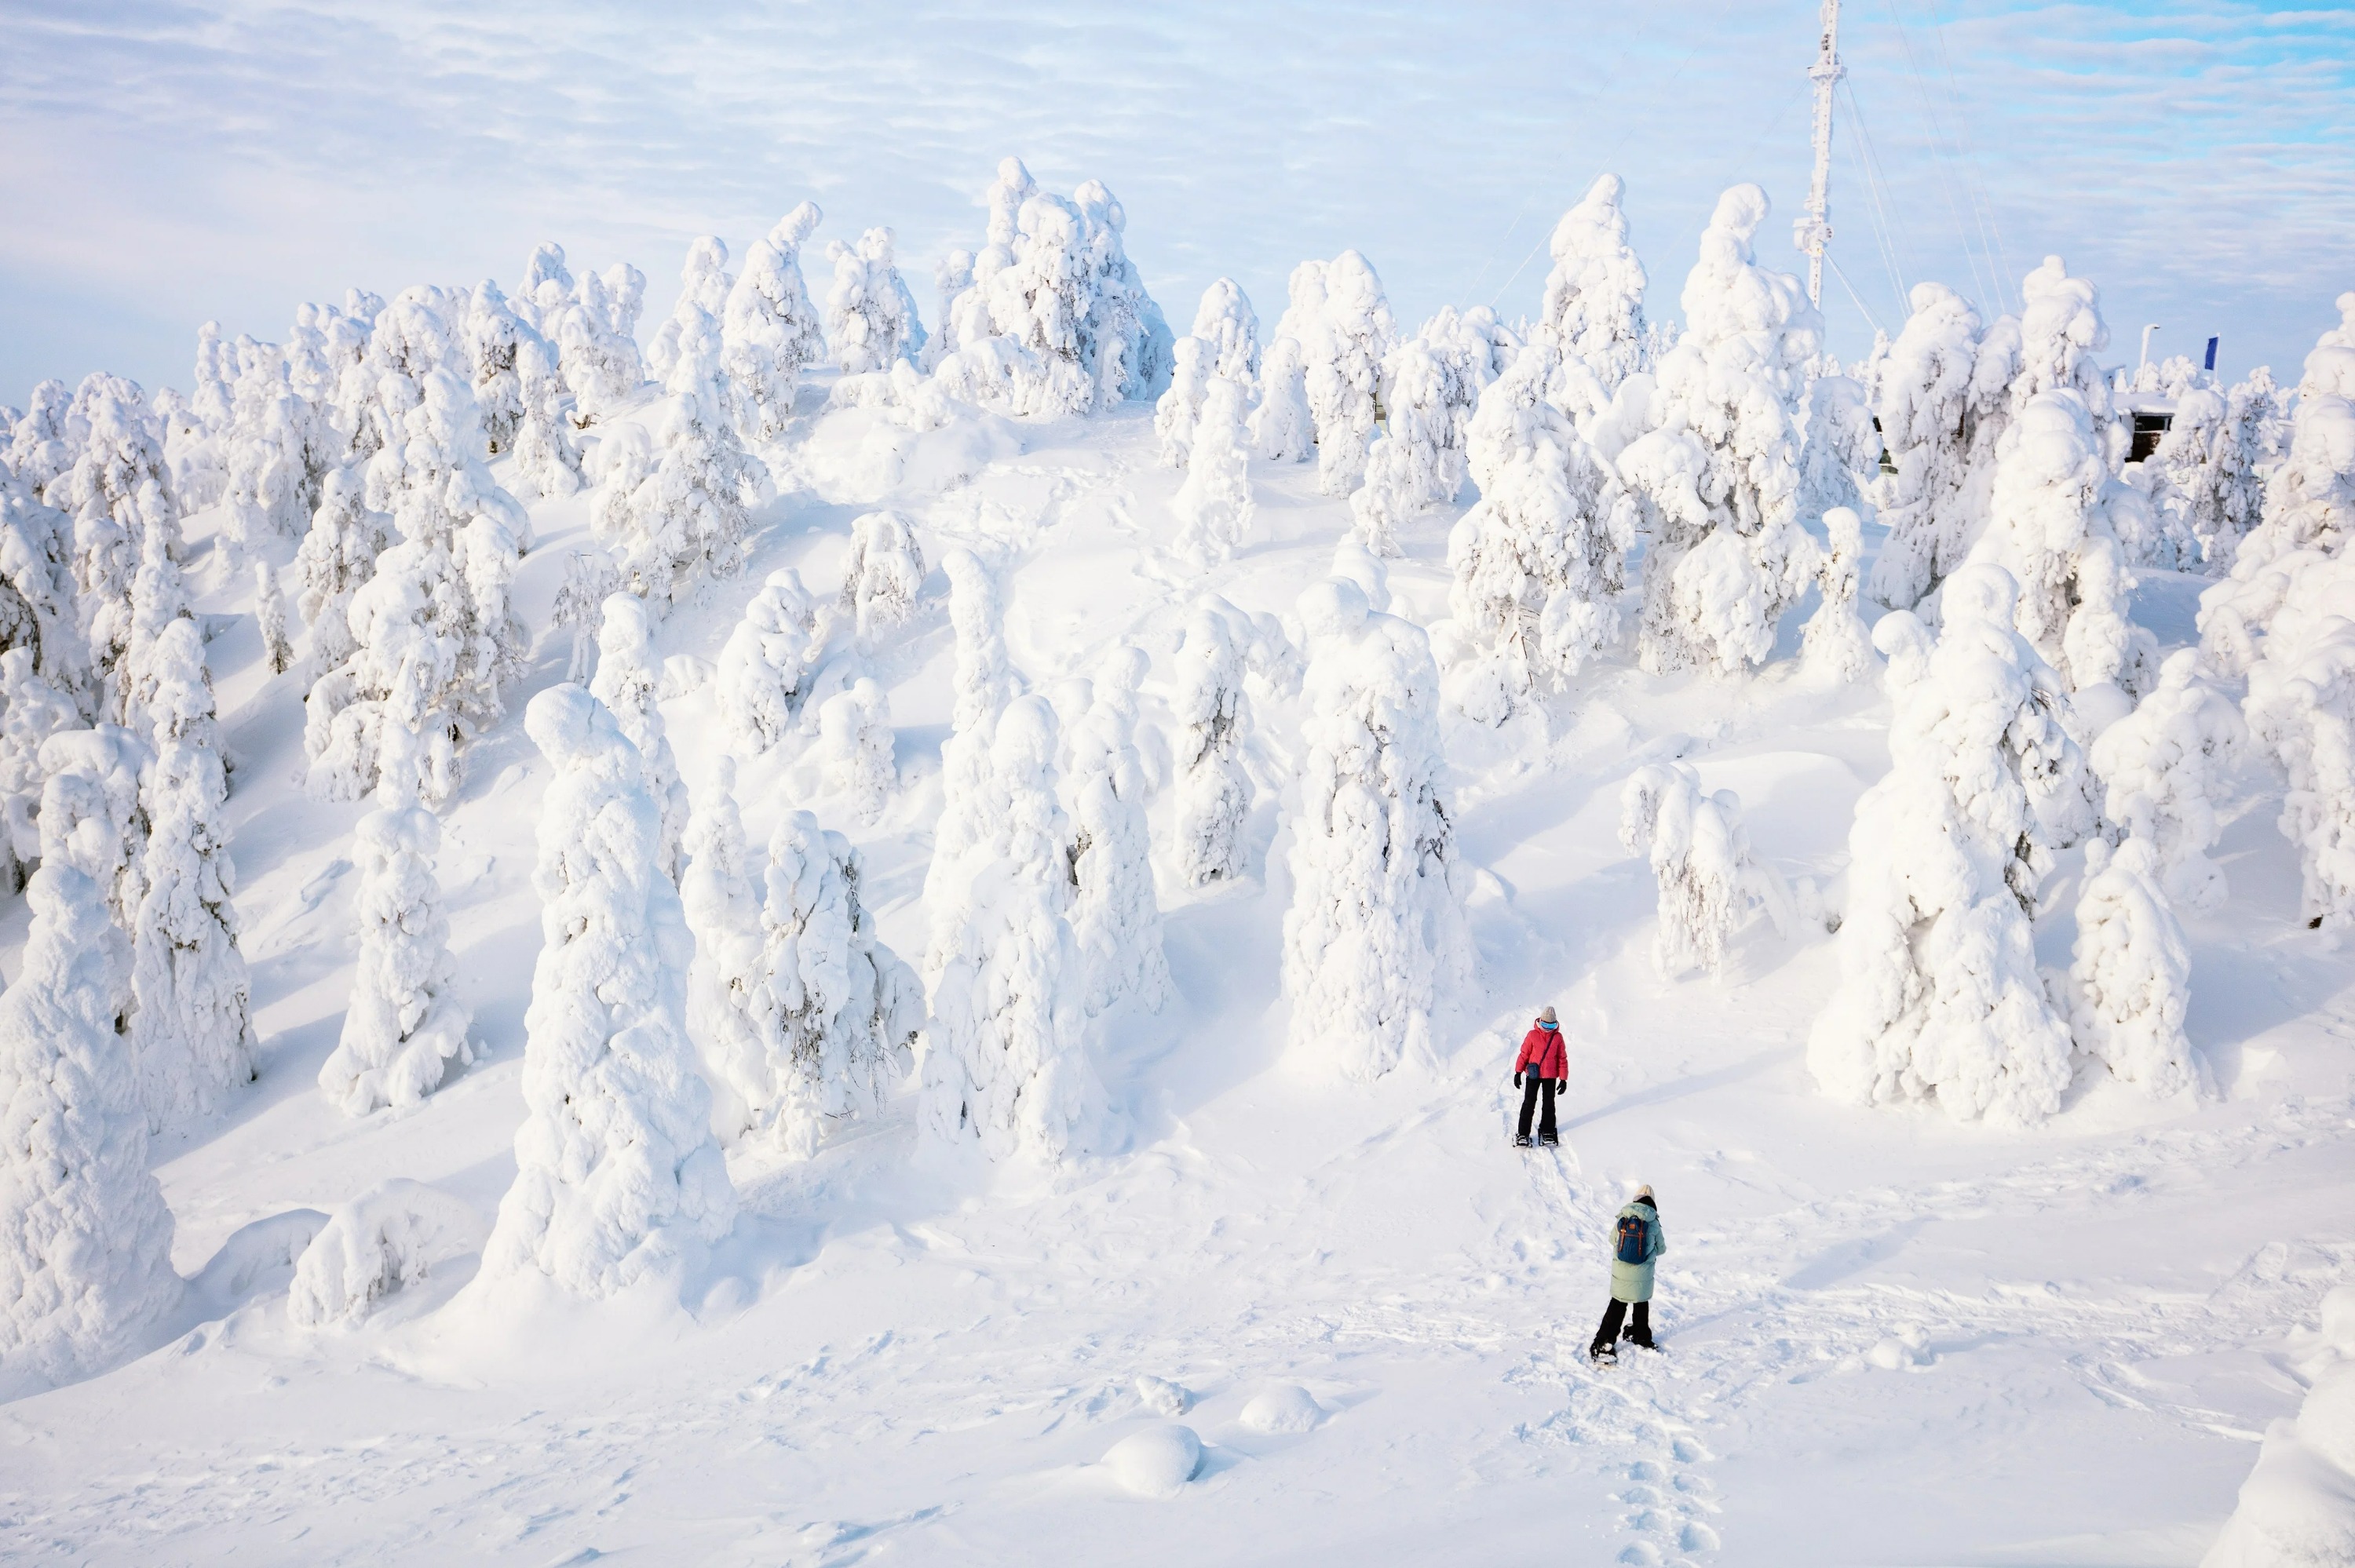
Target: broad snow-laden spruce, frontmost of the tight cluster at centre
[(1007, 1061)]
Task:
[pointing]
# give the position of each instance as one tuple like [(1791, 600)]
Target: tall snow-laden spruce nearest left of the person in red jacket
[(1374, 941)]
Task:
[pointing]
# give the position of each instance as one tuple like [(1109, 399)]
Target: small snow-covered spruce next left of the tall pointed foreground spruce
[(404, 1021)]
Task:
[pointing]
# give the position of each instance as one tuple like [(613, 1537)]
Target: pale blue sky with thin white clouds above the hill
[(166, 161)]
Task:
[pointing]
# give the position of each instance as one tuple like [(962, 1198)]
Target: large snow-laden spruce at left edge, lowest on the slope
[(86, 1240)]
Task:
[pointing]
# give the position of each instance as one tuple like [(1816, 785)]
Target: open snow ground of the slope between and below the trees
[(1890, 1338)]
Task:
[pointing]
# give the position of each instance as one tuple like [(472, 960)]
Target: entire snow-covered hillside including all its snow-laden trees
[(898, 934)]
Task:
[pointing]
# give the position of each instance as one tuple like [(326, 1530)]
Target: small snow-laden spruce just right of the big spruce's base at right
[(2132, 974)]
